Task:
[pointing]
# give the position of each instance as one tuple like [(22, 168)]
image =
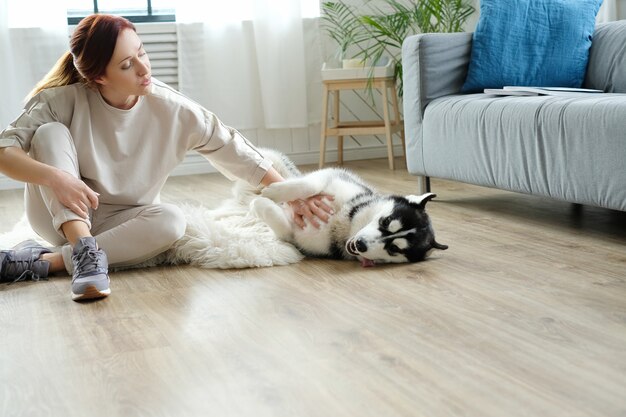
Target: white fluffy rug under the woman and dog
[(226, 237)]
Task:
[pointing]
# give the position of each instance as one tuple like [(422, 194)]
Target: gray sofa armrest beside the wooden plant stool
[(433, 65)]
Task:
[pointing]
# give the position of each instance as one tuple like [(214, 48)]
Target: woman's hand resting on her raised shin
[(74, 193)]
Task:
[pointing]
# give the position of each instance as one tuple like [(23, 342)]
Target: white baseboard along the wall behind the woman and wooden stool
[(194, 163)]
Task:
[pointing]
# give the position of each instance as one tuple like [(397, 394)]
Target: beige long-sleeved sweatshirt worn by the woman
[(126, 155)]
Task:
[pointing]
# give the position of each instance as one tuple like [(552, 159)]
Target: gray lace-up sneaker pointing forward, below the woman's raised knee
[(90, 278)]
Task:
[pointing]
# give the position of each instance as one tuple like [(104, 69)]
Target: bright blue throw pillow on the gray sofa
[(542, 43)]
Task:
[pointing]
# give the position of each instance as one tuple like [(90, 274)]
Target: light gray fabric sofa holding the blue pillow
[(568, 148)]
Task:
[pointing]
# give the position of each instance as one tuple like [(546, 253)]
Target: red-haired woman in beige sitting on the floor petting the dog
[(95, 144)]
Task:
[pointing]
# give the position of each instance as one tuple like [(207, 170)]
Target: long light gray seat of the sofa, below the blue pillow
[(556, 146)]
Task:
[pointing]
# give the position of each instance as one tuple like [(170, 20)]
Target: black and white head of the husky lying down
[(399, 232)]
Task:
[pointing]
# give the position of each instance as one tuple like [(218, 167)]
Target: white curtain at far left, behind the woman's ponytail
[(33, 35)]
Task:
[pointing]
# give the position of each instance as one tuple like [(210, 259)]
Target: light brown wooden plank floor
[(524, 315)]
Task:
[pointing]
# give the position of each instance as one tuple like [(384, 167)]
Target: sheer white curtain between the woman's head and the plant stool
[(244, 60)]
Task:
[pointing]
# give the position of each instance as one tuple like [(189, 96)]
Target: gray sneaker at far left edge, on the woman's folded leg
[(22, 263)]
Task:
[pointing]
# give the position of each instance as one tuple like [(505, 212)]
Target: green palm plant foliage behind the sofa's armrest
[(378, 28)]
